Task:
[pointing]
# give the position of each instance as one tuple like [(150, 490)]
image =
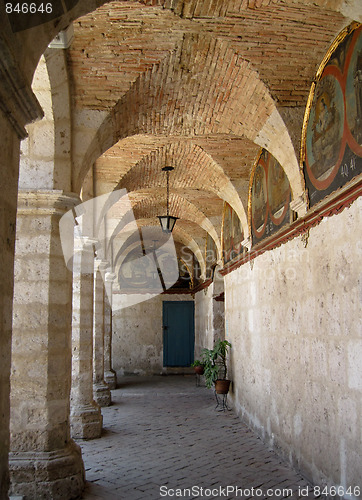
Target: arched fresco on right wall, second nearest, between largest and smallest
[(270, 196)]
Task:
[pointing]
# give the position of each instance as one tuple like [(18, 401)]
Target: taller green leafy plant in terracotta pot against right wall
[(215, 366)]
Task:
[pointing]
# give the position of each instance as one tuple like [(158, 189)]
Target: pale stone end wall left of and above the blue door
[(137, 334)]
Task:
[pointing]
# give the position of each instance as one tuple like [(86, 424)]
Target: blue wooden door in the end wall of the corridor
[(178, 333)]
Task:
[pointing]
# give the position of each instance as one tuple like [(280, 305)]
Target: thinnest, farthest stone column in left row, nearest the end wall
[(109, 374)]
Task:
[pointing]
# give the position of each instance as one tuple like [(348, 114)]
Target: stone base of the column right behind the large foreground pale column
[(86, 421)]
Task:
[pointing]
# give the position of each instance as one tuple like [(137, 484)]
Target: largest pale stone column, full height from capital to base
[(44, 461)]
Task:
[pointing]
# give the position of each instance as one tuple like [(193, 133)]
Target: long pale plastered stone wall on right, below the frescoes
[(293, 317)]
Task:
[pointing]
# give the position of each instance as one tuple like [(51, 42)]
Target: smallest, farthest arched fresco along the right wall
[(233, 234)]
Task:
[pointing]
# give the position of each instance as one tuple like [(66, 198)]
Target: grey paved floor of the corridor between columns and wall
[(163, 435)]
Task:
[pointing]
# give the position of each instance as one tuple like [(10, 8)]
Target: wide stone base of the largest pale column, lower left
[(54, 475)]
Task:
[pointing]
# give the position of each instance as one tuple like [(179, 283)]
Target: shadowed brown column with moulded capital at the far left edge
[(19, 106)]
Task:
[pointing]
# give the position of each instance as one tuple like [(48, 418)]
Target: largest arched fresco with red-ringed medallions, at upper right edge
[(332, 140)]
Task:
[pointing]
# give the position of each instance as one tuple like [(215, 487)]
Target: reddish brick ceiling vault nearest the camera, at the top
[(284, 43)]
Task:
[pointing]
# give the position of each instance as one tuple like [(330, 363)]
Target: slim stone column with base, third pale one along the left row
[(101, 391)]
